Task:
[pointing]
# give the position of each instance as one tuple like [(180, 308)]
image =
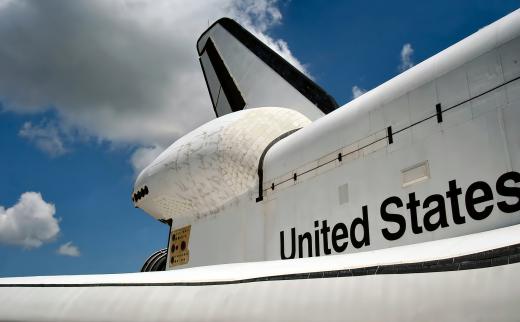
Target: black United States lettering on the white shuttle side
[(431, 214)]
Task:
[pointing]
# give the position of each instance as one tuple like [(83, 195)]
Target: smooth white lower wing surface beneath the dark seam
[(486, 295)]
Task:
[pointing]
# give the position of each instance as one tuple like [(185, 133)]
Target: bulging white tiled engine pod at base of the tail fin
[(208, 167)]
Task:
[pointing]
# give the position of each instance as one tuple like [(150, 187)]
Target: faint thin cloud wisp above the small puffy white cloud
[(45, 136)]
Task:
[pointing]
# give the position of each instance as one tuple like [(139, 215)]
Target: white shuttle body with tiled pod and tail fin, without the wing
[(430, 154)]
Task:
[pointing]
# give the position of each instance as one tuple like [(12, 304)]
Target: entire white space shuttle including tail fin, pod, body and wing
[(401, 205)]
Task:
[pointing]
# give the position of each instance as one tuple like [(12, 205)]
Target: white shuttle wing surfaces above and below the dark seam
[(481, 294)]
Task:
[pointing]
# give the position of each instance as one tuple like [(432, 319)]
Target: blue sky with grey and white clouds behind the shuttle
[(92, 90)]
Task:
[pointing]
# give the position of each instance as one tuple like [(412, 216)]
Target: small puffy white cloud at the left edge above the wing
[(29, 223)]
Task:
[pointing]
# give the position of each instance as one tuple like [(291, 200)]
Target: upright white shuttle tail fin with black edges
[(242, 72)]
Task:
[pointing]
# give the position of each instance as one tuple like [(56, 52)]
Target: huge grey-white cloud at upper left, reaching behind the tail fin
[(125, 71)]
